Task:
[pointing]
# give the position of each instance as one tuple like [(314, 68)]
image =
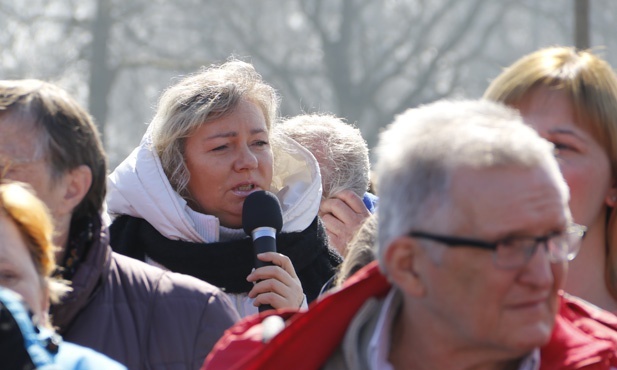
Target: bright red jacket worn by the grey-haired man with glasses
[(584, 337)]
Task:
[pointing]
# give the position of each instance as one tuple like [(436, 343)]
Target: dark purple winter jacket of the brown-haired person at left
[(140, 315)]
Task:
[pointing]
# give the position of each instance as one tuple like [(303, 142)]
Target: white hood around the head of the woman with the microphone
[(138, 187)]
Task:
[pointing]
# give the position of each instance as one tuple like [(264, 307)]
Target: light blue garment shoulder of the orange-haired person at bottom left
[(75, 357)]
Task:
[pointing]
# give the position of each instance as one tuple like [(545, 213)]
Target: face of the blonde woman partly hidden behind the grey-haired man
[(584, 163)]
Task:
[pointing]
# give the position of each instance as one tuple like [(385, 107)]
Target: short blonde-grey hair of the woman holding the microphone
[(203, 97)]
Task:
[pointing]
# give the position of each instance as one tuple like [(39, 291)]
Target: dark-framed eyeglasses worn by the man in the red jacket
[(515, 252)]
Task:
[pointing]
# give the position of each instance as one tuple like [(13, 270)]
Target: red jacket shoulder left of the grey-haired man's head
[(295, 330)]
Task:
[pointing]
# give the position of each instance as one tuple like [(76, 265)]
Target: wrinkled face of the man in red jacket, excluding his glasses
[(476, 304)]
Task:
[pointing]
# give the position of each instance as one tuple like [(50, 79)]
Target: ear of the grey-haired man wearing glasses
[(402, 262)]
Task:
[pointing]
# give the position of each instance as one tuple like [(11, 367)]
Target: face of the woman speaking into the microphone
[(228, 159)]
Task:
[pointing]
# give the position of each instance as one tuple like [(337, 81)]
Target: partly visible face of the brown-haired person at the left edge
[(22, 160)]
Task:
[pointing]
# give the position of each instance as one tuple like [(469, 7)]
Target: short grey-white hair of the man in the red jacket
[(419, 152)]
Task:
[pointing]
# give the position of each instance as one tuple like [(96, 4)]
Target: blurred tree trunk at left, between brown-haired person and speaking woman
[(101, 75)]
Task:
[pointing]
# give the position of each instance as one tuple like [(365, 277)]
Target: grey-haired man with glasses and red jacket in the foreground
[(474, 239)]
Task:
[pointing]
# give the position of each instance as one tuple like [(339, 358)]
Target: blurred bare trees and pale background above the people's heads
[(364, 60)]
